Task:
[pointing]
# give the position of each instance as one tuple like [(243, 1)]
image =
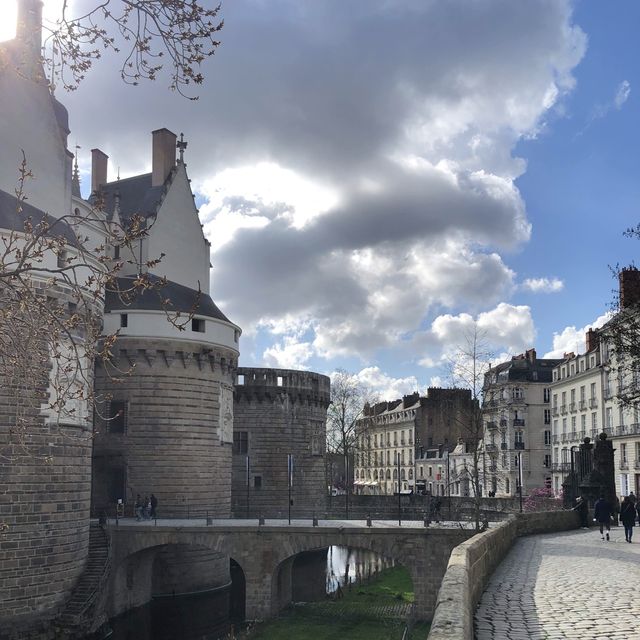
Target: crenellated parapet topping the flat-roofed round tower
[(268, 385)]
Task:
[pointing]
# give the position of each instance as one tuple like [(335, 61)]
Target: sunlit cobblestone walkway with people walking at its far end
[(564, 585)]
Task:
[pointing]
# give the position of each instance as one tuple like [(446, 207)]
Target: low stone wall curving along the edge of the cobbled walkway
[(472, 563)]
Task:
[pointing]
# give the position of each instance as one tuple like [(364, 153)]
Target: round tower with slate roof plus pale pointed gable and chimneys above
[(167, 423)]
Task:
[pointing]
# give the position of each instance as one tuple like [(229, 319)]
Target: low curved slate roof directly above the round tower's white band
[(181, 299)]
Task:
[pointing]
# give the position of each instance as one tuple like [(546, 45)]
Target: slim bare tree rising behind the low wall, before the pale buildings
[(467, 367)]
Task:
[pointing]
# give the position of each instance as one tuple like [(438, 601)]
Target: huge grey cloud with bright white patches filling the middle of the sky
[(360, 188)]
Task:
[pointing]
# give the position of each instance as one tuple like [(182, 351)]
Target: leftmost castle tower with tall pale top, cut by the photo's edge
[(45, 455)]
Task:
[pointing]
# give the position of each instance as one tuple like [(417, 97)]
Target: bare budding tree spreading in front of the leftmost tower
[(54, 273)]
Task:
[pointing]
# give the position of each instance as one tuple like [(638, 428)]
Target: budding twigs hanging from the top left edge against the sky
[(150, 36)]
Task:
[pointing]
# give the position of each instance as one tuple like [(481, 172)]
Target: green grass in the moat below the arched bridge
[(366, 612)]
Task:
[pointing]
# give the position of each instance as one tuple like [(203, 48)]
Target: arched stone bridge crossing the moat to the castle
[(266, 553)]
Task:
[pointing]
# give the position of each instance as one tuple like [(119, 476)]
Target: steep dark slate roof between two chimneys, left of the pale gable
[(137, 197)]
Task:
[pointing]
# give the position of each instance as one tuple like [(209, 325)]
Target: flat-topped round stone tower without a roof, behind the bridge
[(278, 412)]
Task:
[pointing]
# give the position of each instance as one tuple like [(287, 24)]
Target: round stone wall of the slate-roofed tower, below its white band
[(177, 432)]
